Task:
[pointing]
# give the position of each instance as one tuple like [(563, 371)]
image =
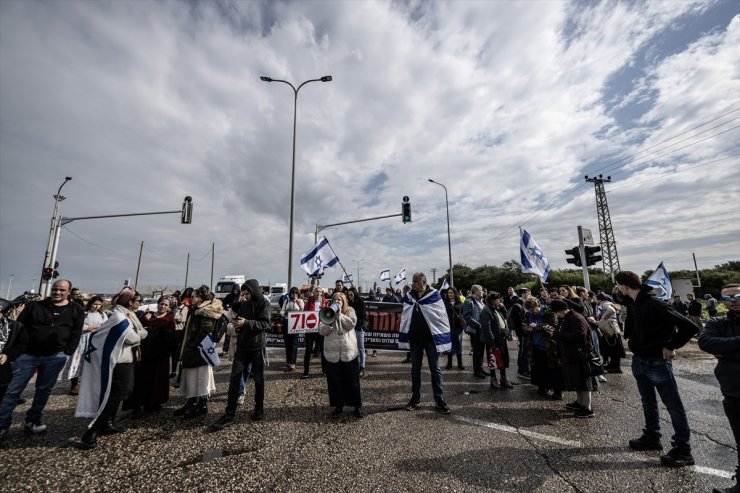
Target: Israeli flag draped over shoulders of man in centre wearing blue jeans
[(433, 309)]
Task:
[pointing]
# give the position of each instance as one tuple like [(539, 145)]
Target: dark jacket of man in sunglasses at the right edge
[(721, 337)]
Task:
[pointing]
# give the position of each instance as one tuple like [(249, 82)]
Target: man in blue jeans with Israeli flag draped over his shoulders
[(425, 328)]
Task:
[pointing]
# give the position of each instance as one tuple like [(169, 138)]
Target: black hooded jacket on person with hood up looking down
[(257, 312)]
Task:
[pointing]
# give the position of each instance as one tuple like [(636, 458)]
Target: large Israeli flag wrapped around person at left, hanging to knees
[(101, 355)]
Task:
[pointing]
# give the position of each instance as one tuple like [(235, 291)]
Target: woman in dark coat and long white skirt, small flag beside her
[(197, 381)]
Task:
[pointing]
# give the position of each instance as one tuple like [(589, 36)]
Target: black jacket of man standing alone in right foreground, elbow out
[(652, 325)]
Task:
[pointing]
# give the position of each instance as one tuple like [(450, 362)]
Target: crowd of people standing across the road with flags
[(125, 357)]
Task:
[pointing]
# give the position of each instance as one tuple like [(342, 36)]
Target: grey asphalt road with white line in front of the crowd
[(509, 441)]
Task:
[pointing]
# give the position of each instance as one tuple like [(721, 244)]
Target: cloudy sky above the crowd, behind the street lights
[(509, 104)]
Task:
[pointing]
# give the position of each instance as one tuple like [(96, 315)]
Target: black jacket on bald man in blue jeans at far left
[(52, 329)]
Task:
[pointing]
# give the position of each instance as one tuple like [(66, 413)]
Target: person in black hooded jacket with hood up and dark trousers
[(251, 322)]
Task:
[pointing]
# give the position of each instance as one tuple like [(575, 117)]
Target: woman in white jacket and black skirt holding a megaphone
[(337, 325)]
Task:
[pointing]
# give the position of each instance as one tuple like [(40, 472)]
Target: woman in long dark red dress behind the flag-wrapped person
[(151, 374)]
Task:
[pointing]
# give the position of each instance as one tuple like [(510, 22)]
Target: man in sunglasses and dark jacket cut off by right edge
[(721, 337)]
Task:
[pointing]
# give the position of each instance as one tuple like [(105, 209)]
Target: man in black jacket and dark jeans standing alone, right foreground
[(655, 330)]
